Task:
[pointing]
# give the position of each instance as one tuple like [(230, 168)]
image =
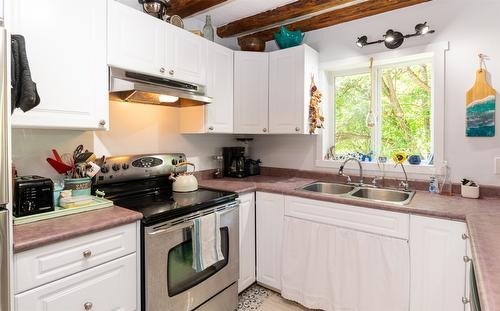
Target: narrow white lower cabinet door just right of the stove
[(247, 241)]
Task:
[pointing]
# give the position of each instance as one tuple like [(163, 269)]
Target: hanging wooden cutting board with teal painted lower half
[(480, 108)]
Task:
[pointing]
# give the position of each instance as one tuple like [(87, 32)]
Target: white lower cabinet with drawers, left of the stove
[(98, 271)]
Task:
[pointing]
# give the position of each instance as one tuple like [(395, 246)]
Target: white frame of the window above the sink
[(434, 53)]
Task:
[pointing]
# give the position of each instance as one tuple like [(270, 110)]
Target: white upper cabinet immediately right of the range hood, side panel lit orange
[(216, 117)]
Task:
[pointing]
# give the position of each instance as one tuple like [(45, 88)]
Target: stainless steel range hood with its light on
[(135, 87)]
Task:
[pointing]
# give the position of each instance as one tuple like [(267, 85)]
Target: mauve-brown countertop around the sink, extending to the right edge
[(482, 217)]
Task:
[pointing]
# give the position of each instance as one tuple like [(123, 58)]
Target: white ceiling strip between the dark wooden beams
[(235, 9)]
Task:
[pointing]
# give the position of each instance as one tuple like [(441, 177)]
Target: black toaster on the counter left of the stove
[(32, 195)]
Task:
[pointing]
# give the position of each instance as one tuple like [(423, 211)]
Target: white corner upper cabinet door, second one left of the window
[(251, 92)]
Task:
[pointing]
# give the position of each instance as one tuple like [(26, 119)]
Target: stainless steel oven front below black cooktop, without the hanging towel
[(170, 282)]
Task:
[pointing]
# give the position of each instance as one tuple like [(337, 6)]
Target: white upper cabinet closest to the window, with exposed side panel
[(290, 72)]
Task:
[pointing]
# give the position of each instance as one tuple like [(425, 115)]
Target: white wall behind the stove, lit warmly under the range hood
[(135, 129)]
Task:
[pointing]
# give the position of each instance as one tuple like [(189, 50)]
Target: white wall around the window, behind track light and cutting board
[(471, 27)]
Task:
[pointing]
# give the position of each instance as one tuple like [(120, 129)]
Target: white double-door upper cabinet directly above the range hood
[(142, 43)]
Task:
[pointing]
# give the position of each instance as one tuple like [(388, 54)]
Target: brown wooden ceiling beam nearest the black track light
[(347, 14)]
